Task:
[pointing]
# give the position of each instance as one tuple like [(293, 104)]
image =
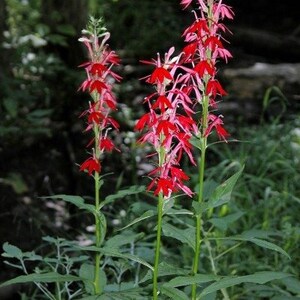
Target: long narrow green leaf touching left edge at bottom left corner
[(45, 277)]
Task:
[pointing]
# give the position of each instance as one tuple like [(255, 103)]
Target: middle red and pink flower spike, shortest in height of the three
[(169, 125)]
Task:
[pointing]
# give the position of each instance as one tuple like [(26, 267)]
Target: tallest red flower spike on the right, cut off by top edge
[(204, 48)]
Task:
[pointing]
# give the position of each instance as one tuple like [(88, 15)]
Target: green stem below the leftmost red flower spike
[(98, 235)]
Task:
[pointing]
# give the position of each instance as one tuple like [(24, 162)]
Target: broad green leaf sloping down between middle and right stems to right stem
[(186, 236)]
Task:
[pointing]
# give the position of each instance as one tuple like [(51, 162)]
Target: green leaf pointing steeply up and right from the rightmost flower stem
[(222, 193)]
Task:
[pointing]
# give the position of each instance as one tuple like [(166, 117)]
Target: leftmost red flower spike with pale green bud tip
[(99, 85)]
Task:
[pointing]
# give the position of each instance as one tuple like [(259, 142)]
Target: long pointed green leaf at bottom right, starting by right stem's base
[(259, 278)]
